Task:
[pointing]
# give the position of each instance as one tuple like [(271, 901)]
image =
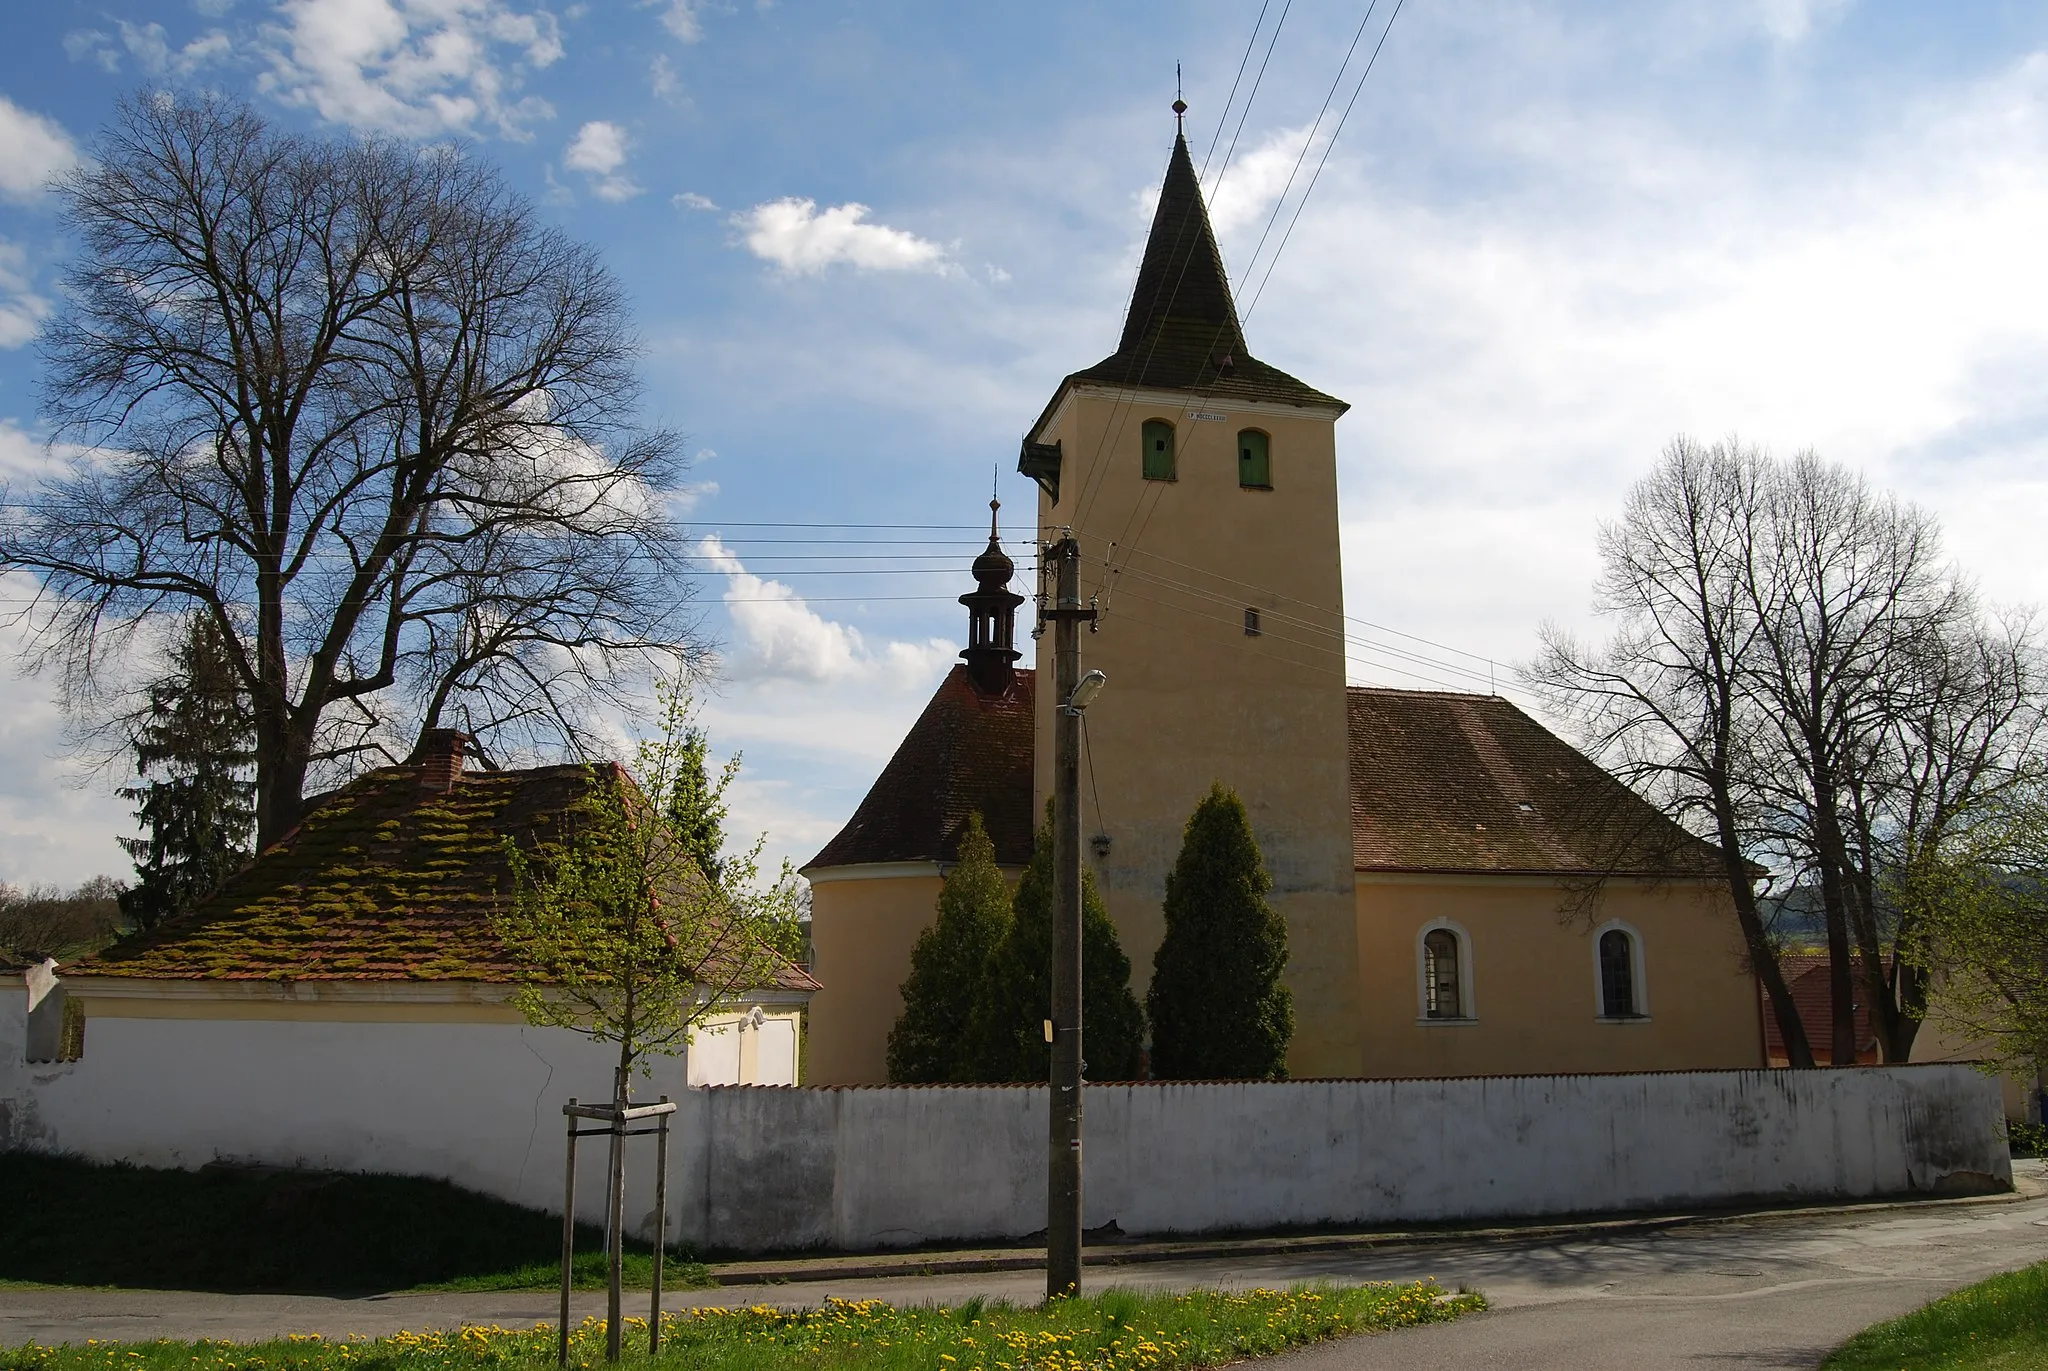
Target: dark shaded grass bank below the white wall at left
[(69, 1222)]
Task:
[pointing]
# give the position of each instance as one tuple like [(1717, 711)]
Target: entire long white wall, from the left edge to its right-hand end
[(759, 1167)]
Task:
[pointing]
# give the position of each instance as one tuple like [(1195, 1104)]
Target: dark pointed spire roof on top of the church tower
[(1183, 327)]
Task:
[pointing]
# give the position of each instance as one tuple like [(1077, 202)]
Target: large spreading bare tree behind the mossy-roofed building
[(353, 403)]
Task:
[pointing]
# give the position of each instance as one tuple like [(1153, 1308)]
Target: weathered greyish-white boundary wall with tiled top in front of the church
[(904, 1165)]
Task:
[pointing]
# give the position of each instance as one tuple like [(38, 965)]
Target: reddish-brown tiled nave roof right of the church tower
[(1471, 784)]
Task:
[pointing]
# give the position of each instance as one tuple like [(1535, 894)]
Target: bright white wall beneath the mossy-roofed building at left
[(474, 1104)]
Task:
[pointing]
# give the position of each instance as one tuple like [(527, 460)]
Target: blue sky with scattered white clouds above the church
[(865, 243)]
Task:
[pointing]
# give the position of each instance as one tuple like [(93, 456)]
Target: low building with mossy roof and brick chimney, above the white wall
[(382, 901)]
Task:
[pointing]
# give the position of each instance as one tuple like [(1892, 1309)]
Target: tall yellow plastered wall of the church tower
[(1193, 698)]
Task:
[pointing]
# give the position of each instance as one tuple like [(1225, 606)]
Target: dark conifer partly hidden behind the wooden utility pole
[(1009, 1028)]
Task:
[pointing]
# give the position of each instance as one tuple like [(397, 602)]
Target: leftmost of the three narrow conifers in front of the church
[(947, 968)]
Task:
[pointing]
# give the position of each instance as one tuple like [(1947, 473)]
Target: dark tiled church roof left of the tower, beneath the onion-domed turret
[(966, 753)]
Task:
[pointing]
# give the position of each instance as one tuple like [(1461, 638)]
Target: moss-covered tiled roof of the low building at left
[(380, 882)]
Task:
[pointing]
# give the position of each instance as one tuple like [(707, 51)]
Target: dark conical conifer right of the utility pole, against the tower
[(1218, 1003)]
